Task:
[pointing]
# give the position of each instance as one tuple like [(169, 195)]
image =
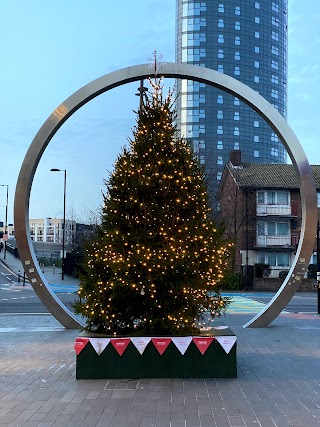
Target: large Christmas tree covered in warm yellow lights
[(158, 257)]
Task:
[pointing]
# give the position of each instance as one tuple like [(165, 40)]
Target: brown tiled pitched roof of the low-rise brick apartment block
[(269, 175)]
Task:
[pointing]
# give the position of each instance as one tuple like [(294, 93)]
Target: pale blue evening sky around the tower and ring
[(51, 49)]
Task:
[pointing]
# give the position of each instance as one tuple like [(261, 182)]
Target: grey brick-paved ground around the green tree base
[(278, 381)]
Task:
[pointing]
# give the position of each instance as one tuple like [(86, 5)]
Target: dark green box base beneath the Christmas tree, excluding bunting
[(214, 363)]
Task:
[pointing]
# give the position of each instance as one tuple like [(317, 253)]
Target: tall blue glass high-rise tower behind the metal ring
[(247, 40)]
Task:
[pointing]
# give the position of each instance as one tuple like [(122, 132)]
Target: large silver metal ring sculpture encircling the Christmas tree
[(171, 70)]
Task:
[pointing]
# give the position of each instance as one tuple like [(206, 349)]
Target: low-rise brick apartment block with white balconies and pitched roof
[(261, 207)]
